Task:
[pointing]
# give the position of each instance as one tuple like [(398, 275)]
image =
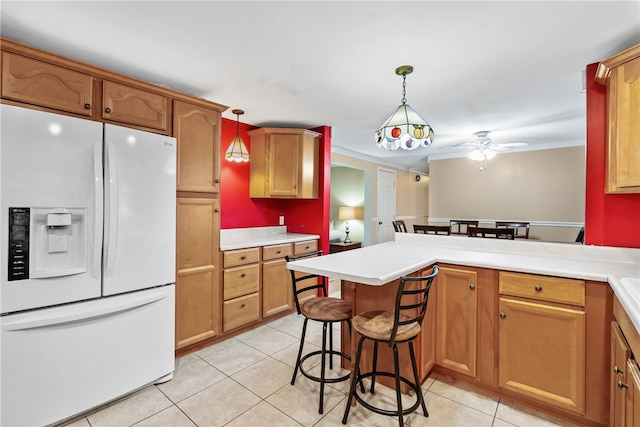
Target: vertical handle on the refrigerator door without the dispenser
[(111, 213)]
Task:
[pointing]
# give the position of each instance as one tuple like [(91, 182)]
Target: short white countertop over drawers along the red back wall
[(242, 238)]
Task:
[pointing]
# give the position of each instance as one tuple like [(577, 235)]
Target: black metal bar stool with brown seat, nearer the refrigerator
[(323, 309)]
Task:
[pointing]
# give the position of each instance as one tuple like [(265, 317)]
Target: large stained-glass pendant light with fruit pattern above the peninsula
[(405, 128)]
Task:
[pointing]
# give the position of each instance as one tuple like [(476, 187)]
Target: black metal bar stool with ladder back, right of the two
[(391, 328)]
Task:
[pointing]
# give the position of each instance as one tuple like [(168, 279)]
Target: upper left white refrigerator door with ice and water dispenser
[(51, 191)]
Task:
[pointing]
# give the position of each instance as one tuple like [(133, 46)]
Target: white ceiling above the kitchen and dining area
[(511, 67)]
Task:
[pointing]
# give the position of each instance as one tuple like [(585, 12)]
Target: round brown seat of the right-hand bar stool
[(378, 325)]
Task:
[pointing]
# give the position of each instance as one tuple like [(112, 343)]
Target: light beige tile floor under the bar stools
[(245, 381)]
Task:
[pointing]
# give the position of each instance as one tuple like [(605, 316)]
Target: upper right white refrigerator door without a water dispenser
[(140, 210)]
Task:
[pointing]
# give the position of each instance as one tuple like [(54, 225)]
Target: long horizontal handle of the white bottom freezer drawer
[(83, 312)]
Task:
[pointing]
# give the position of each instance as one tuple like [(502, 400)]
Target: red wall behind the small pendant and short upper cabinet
[(238, 210)]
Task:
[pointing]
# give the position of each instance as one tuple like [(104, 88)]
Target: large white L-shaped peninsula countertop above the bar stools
[(385, 262)]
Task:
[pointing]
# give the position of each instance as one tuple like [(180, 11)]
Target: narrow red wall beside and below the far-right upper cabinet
[(610, 219)]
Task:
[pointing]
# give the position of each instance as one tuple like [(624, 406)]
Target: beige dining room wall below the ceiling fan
[(546, 187)]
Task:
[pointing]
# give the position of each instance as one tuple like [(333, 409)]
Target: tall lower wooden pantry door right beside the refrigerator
[(197, 290)]
